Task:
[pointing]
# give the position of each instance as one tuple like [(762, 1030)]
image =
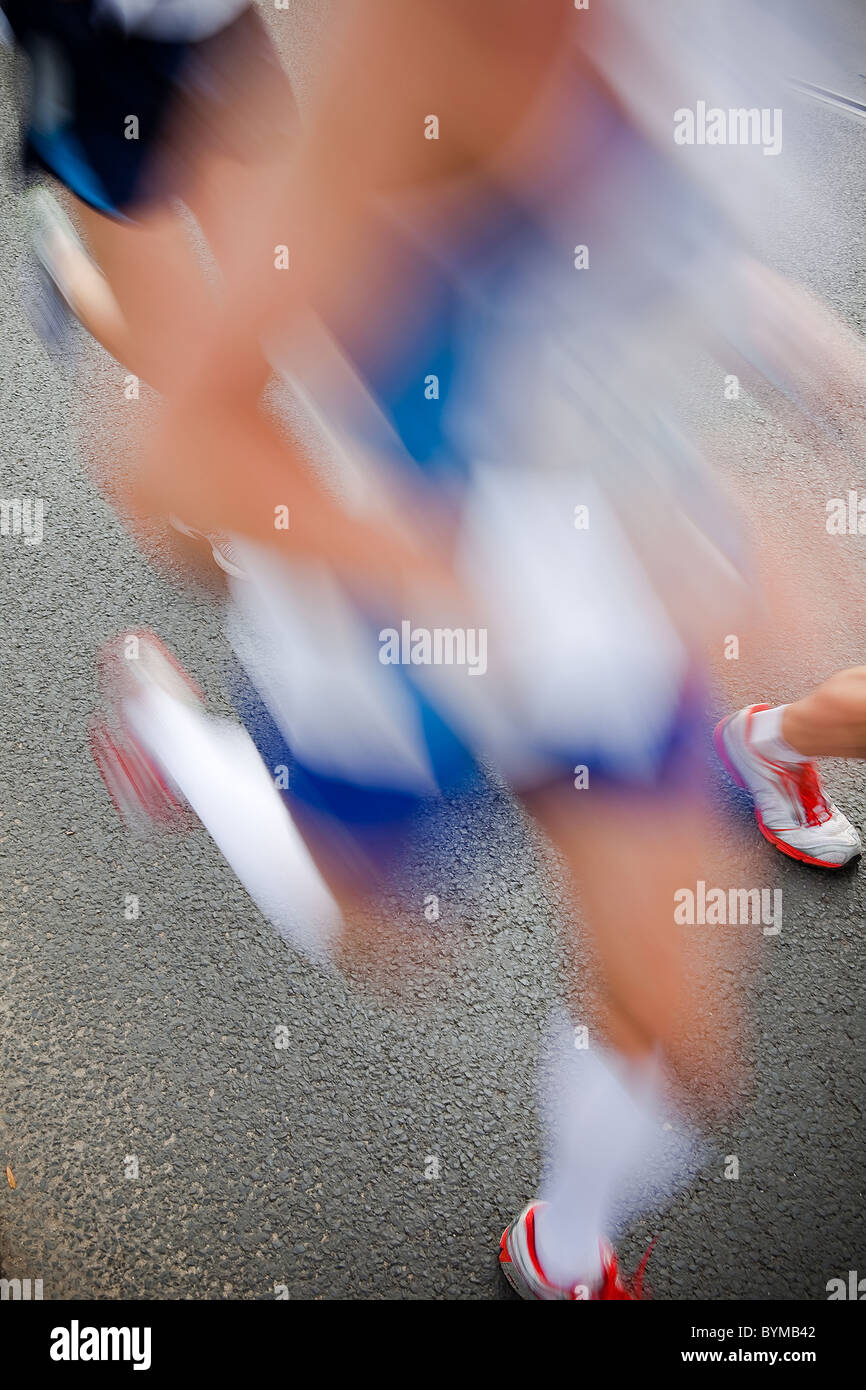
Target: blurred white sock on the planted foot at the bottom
[(607, 1117)]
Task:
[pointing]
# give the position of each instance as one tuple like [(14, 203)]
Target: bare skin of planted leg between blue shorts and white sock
[(628, 857)]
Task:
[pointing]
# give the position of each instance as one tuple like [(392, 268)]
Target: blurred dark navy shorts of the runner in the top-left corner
[(119, 120)]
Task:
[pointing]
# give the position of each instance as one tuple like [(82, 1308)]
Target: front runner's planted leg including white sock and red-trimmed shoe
[(662, 1011)]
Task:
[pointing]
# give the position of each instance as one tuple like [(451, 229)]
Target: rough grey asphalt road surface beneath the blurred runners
[(162, 1145)]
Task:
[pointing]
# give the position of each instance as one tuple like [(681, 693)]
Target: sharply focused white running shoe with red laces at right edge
[(792, 807)]
